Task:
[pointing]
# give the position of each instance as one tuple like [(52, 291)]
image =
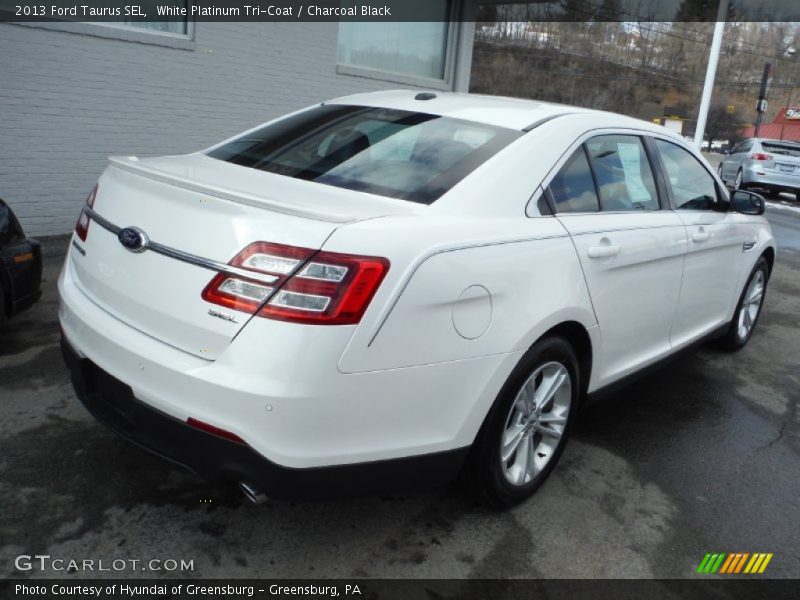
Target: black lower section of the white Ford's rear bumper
[(113, 403)]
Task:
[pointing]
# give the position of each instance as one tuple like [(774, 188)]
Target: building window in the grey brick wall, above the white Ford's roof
[(415, 49)]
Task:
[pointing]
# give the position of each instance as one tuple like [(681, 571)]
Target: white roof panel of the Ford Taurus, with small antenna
[(512, 113)]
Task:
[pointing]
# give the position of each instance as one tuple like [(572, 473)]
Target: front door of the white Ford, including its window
[(716, 240)]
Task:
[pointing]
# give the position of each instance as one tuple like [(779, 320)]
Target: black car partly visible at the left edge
[(20, 266)]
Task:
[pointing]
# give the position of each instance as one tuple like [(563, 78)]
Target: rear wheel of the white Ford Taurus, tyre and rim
[(525, 431)]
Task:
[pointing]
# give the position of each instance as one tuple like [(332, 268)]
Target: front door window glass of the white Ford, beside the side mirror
[(693, 188)]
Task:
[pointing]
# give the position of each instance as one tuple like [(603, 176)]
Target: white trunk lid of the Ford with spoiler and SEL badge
[(209, 209)]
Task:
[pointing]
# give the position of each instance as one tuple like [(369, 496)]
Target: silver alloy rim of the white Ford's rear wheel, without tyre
[(535, 423)]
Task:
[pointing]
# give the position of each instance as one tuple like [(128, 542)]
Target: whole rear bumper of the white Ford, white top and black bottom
[(283, 395)]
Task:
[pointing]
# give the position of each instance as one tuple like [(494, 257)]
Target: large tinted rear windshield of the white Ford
[(396, 153)]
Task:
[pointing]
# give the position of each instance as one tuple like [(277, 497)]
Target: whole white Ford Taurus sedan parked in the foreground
[(389, 289)]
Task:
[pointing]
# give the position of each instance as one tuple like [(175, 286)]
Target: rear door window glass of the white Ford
[(622, 169)]
